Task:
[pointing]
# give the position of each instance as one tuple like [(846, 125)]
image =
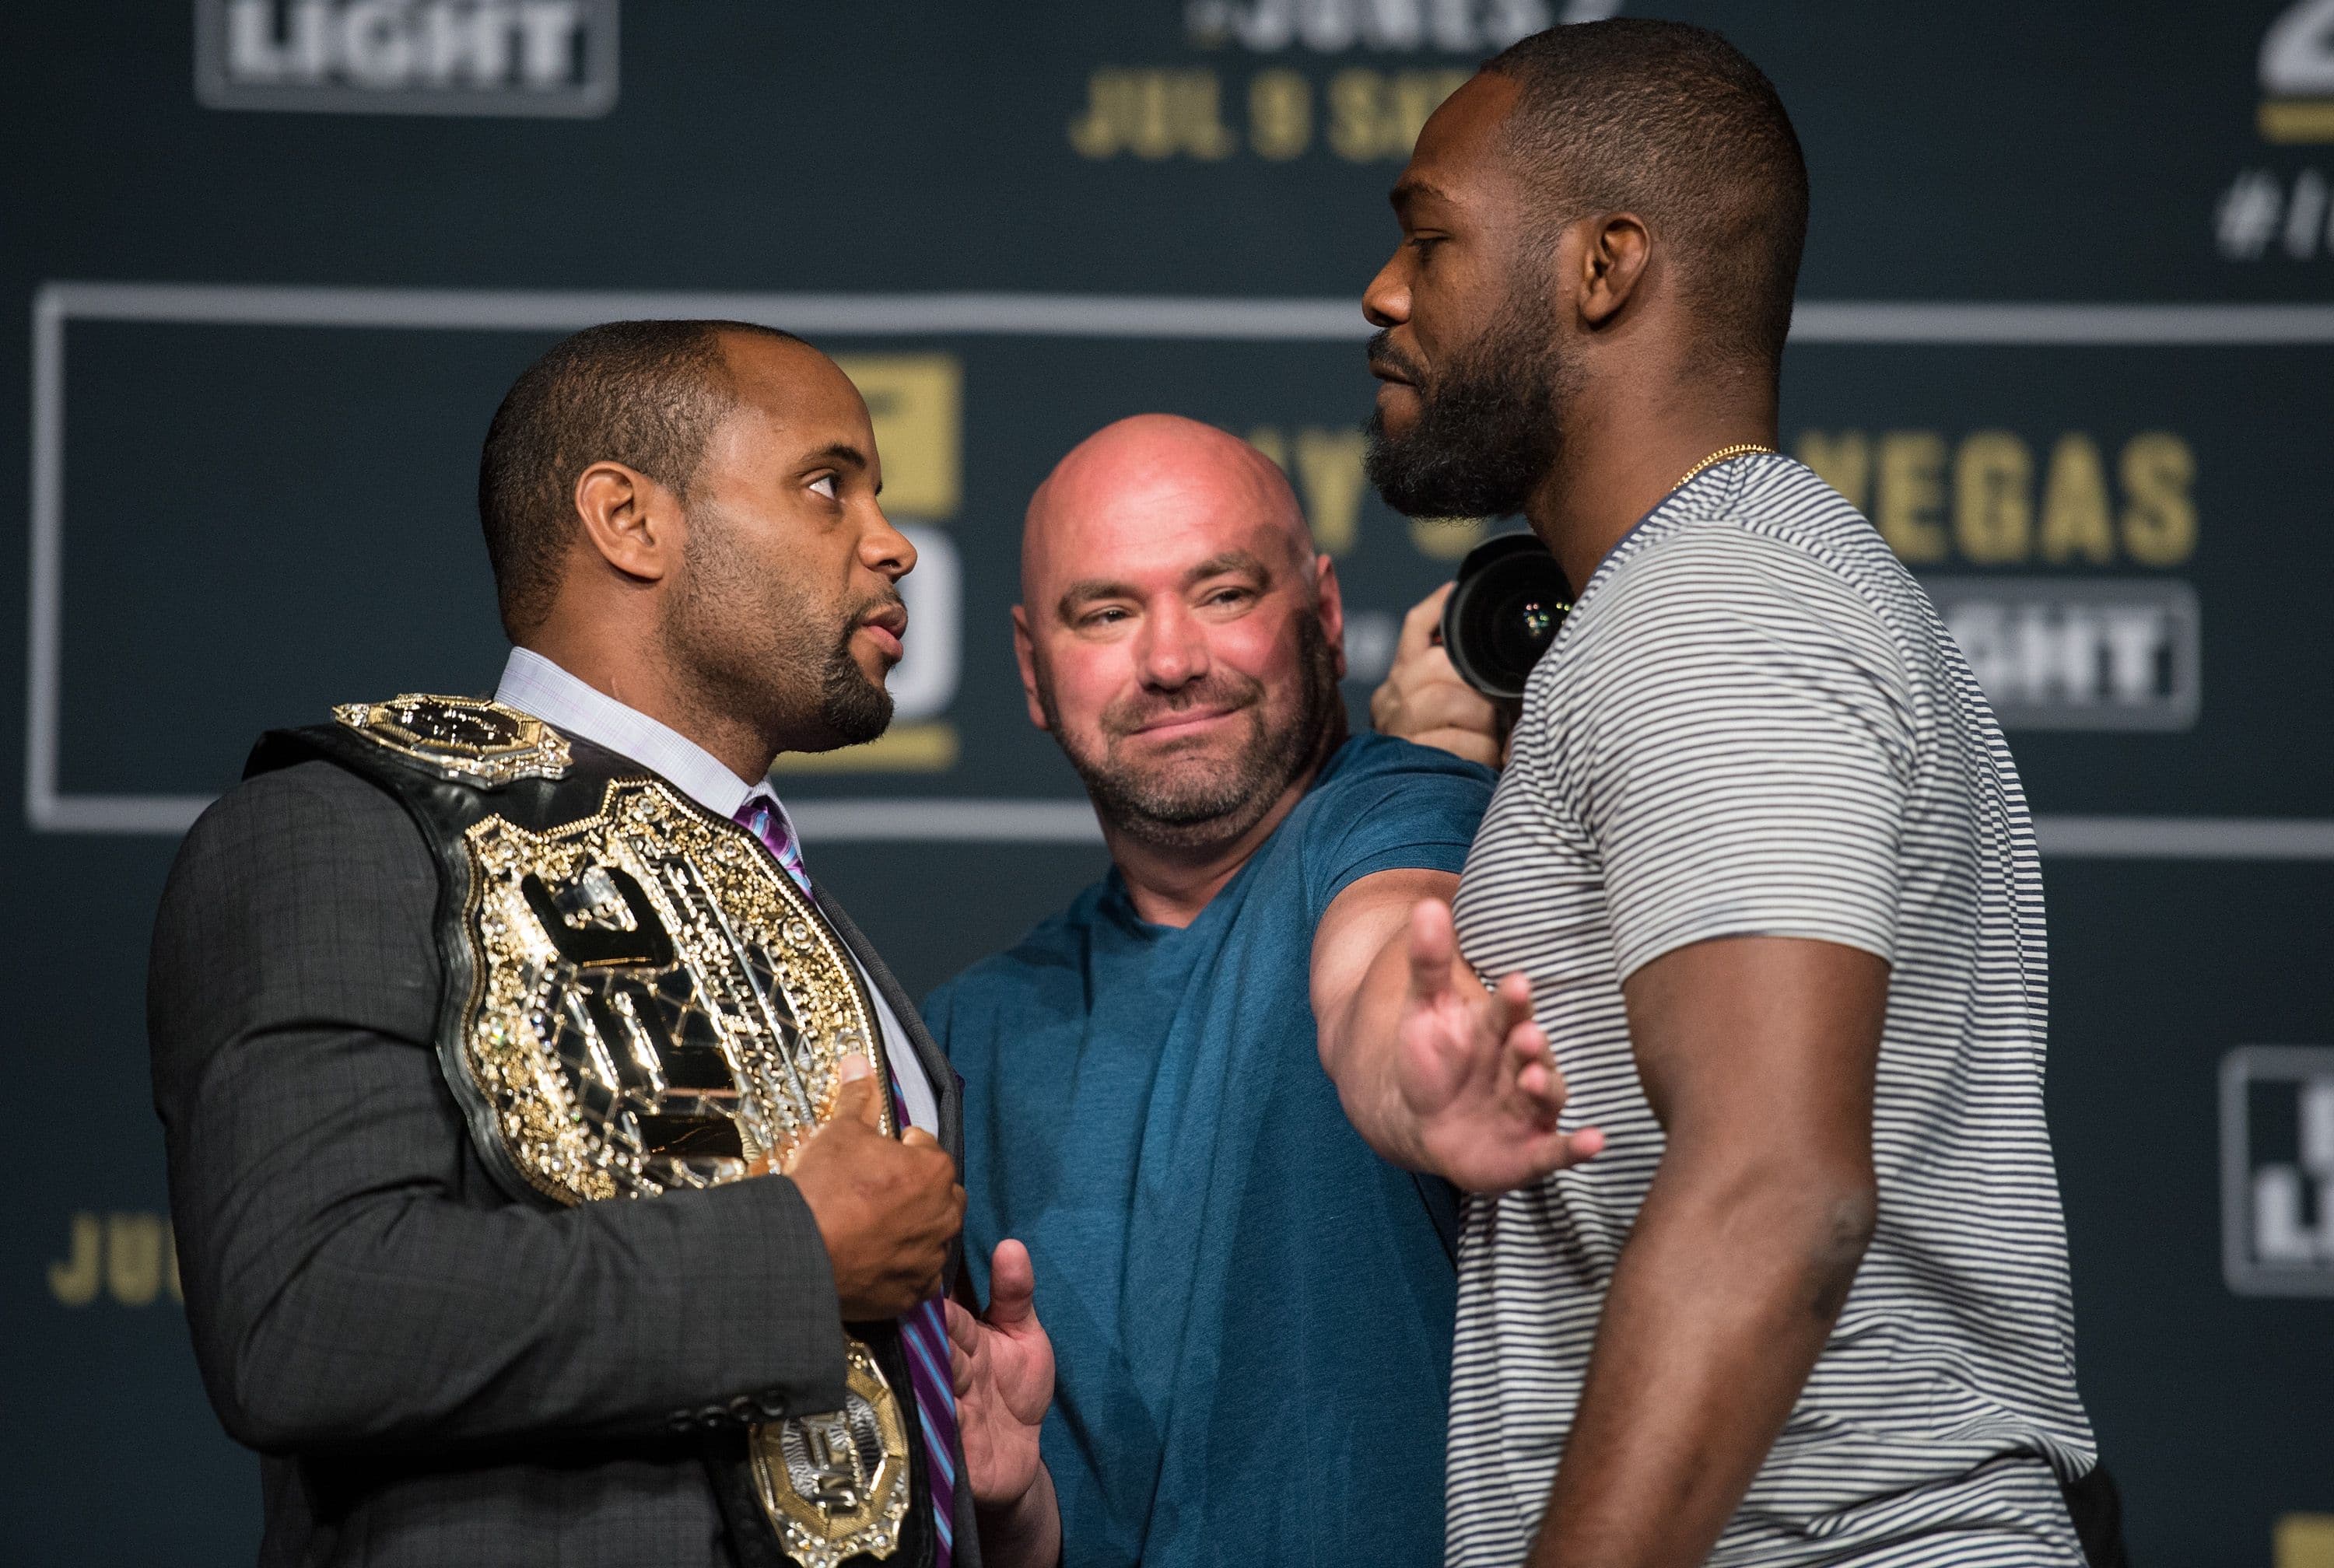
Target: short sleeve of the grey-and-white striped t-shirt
[(1740, 731)]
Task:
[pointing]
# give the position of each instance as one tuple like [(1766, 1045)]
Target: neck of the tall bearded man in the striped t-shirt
[(1628, 451)]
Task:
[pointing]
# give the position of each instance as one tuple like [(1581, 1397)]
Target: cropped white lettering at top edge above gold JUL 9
[(1327, 27)]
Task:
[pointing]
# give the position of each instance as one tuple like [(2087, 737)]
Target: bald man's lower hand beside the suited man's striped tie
[(1002, 1366)]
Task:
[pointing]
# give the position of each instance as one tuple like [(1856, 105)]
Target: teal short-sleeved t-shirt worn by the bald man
[(1250, 1310)]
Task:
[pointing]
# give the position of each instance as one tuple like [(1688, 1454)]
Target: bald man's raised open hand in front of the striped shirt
[(1476, 1072)]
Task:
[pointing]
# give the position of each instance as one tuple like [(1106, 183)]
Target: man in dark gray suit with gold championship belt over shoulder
[(438, 1361)]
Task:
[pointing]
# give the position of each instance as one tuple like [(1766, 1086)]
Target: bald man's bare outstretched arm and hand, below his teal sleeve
[(1434, 1072)]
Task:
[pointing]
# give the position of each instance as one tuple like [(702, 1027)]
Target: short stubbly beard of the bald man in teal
[(1171, 811)]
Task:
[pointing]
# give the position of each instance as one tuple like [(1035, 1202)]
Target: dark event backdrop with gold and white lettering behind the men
[(2064, 335)]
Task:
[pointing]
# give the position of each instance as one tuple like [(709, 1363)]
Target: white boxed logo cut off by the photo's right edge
[(2277, 1170)]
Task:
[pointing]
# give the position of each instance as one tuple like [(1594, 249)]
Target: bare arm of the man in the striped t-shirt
[(1759, 1058)]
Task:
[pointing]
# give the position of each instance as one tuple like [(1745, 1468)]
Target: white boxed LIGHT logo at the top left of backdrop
[(407, 57)]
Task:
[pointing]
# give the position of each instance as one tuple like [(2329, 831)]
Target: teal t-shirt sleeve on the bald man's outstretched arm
[(1399, 808)]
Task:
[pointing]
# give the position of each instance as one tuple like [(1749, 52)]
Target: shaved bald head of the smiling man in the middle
[(1178, 633)]
